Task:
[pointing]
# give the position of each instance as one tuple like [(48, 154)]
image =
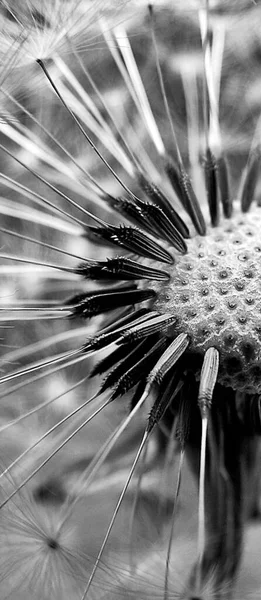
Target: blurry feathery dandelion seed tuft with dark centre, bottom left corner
[(32, 560)]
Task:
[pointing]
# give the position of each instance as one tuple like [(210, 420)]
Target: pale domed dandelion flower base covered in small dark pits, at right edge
[(215, 292)]
